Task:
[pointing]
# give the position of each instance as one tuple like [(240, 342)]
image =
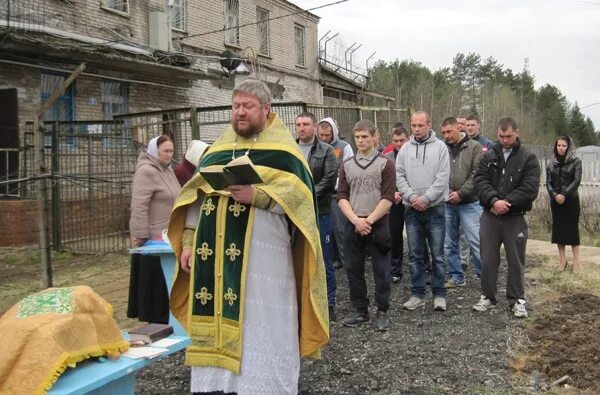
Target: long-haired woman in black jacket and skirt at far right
[(563, 175)]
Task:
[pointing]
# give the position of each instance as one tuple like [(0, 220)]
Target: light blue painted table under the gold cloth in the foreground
[(109, 377)]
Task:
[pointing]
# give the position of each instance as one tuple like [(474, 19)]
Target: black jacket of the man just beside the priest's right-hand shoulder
[(323, 166)]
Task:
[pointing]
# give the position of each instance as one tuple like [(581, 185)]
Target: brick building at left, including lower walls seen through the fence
[(140, 56)]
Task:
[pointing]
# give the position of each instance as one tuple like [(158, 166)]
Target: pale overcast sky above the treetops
[(560, 38)]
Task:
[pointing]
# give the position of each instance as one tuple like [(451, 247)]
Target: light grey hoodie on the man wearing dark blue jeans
[(423, 169)]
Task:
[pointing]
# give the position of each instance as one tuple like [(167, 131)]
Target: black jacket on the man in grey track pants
[(517, 179)]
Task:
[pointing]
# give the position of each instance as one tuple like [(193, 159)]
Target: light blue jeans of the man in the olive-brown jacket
[(468, 216)]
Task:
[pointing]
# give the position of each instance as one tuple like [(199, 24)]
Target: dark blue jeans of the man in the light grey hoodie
[(428, 225)]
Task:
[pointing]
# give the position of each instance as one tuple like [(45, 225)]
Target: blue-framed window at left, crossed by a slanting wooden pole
[(63, 107)]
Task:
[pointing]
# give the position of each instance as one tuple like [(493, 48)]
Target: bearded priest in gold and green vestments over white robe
[(252, 302)]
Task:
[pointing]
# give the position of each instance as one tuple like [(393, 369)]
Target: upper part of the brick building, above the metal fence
[(148, 55)]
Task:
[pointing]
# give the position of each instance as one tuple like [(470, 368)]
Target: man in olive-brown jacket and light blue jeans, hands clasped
[(462, 207)]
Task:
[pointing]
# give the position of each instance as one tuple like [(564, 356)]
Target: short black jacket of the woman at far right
[(563, 178)]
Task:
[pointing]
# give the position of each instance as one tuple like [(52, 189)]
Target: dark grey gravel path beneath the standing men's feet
[(424, 352)]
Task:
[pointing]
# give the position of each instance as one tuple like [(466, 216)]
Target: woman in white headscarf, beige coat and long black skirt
[(155, 189)]
